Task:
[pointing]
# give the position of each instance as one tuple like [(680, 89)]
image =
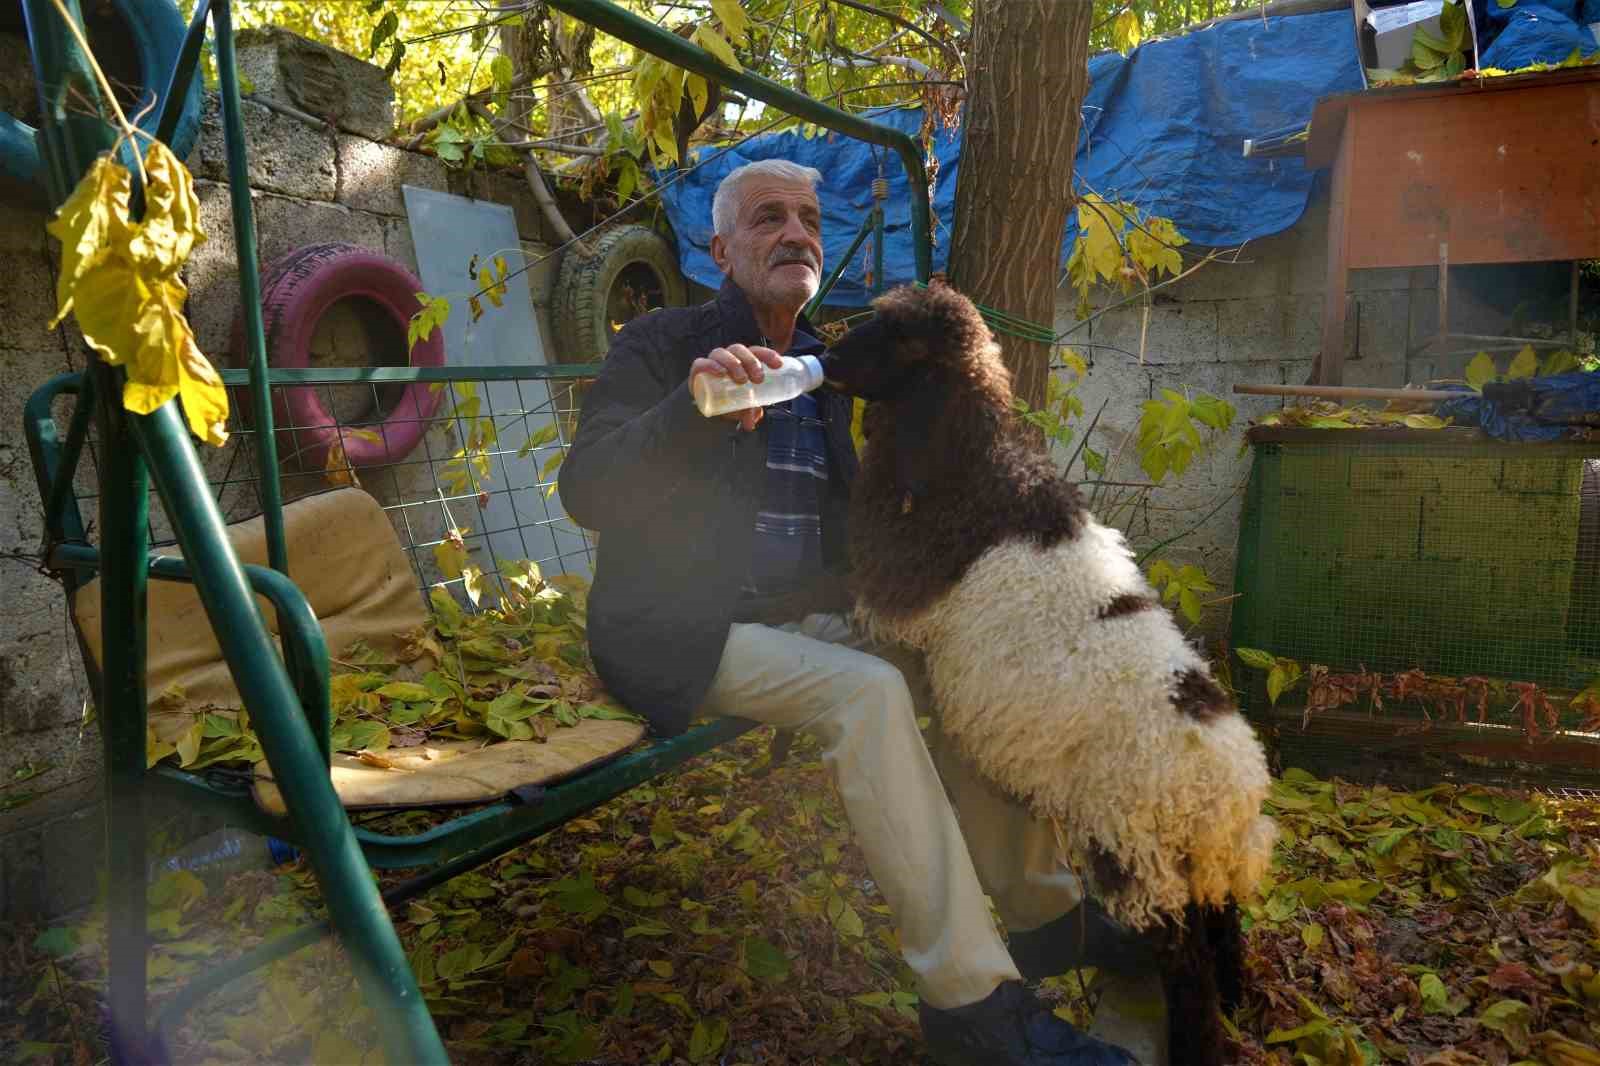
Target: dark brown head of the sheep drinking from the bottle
[(914, 335)]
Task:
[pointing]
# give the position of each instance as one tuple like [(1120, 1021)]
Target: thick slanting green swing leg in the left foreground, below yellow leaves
[(292, 750)]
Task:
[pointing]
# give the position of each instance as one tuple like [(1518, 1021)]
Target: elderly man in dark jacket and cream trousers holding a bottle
[(721, 590)]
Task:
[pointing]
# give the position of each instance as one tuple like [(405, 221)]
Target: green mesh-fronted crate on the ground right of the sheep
[(1436, 551)]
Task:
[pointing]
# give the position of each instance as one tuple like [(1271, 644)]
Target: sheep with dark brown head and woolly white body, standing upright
[(1054, 667)]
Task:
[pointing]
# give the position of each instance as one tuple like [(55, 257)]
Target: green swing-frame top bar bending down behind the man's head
[(668, 46)]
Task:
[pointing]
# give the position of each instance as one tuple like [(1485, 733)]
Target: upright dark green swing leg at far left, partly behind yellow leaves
[(71, 143)]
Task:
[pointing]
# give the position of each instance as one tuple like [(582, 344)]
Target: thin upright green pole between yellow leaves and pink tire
[(250, 287)]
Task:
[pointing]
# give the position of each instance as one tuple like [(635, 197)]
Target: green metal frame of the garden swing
[(287, 697)]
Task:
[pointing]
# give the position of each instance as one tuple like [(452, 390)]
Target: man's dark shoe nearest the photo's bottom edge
[(1012, 1028)]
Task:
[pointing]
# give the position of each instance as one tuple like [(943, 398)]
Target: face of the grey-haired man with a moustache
[(775, 250)]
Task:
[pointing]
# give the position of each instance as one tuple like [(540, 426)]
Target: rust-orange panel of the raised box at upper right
[(1508, 174)]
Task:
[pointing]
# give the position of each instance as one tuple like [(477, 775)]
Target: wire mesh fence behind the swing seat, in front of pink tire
[(462, 455)]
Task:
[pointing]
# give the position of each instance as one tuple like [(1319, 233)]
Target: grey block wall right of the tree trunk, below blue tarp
[(1257, 319)]
